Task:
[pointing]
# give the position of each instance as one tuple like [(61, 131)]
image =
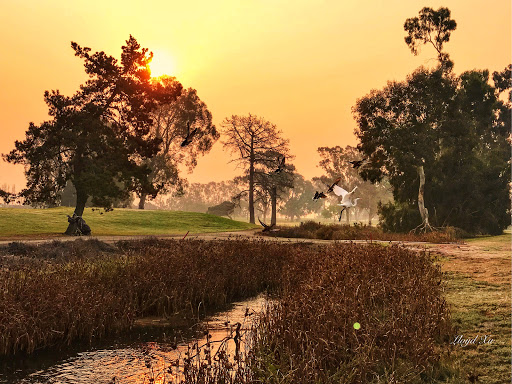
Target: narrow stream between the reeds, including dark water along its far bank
[(136, 358)]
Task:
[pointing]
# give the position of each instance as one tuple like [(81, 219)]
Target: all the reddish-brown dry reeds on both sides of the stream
[(305, 336)]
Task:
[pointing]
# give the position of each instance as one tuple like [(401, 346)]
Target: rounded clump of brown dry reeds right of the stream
[(308, 336)]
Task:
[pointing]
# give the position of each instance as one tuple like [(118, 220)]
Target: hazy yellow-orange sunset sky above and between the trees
[(300, 63)]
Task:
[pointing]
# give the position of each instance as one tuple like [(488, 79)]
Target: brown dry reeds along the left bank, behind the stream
[(61, 292)]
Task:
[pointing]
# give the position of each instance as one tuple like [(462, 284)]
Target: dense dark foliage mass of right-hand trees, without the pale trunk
[(454, 127)]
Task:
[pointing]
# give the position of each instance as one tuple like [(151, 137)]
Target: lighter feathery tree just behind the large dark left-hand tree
[(172, 122)]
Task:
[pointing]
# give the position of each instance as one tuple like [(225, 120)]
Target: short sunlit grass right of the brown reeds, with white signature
[(478, 282)]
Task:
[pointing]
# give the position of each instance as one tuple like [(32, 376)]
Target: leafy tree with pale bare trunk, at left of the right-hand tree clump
[(399, 131)]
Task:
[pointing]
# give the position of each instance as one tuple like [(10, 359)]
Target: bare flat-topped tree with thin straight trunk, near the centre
[(250, 138)]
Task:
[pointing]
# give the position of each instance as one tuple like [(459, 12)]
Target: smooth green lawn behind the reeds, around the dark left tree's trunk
[(53, 222)]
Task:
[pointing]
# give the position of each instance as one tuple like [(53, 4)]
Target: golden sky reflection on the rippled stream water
[(160, 359)]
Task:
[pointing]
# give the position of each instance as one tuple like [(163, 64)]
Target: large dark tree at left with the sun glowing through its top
[(100, 137)]
